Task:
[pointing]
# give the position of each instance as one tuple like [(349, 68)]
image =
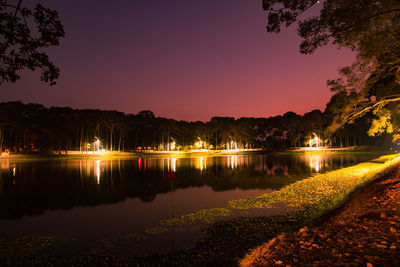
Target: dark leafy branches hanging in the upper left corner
[(24, 33)]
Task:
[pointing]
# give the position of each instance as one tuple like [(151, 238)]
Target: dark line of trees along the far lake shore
[(27, 128)]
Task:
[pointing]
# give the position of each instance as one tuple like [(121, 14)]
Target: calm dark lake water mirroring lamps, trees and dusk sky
[(96, 199)]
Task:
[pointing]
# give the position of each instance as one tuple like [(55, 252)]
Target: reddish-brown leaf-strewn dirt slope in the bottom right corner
[(365, 232)]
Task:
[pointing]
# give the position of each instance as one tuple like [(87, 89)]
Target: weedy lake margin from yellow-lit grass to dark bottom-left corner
[(226, 241)]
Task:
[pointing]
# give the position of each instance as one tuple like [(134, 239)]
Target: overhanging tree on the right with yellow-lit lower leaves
[(372, 29)]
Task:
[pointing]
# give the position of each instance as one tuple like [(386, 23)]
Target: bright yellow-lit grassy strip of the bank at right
[(322, 192)]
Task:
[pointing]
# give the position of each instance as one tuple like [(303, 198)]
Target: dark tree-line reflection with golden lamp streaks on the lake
[(31, 188)]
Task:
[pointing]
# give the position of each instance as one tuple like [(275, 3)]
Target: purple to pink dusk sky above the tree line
[(182, 59)]
